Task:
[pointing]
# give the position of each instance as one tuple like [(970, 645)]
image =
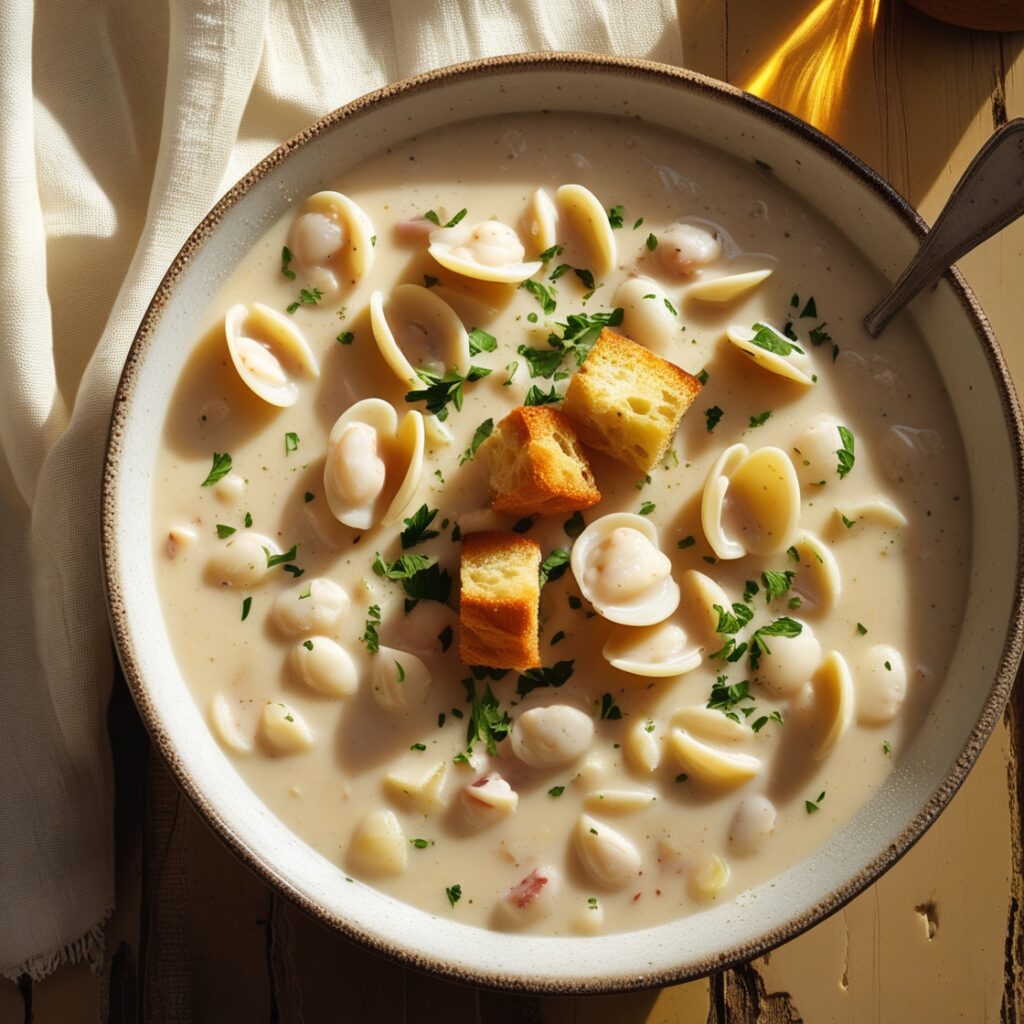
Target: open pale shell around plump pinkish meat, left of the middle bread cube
[(401, 449)]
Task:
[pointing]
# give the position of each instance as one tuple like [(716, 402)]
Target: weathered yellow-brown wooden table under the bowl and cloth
[(941, 938)]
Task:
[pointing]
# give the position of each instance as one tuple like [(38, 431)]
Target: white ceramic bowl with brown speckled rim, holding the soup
[(880, 224)]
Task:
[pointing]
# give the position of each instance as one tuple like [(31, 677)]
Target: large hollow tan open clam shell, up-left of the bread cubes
[(418, 330)]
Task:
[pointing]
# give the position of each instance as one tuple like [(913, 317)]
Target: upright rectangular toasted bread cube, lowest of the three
[(501, 592)]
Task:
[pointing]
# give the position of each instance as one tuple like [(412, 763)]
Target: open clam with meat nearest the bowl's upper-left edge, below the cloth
[(332, 242)]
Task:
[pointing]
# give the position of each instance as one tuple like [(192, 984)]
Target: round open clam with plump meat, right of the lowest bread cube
[(623, 573)]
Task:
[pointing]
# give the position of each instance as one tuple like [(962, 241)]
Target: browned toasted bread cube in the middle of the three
[(537, 465)]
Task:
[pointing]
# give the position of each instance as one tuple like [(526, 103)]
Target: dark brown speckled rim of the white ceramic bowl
[(845, 164)]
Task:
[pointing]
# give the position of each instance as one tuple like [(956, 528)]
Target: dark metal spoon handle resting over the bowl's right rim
[(990, 196)]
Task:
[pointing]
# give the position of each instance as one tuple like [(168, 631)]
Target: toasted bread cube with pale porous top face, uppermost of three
[(627, 402)]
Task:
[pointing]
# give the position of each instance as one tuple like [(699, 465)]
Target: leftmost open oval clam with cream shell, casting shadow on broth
[(269, 352)]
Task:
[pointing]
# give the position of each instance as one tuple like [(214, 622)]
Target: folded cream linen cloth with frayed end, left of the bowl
[(121, 124)]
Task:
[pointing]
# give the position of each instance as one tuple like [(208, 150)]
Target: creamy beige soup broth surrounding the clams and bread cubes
[(898, 583)]
